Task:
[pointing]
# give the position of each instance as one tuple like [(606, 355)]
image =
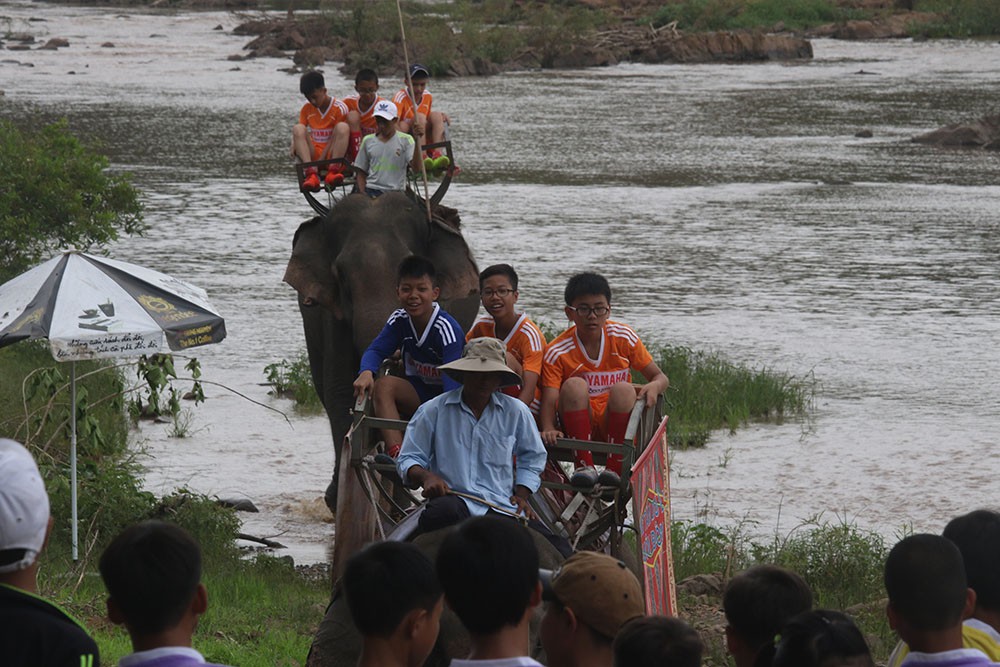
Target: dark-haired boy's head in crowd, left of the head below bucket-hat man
[(395, 602)]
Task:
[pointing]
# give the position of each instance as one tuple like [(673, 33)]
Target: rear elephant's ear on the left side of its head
[(310, 268)]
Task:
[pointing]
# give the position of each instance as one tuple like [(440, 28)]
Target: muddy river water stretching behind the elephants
[(731, 207)]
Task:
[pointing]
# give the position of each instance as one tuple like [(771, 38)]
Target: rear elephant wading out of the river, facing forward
[(343, 267)]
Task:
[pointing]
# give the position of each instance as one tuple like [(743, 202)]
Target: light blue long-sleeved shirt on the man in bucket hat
[(476, 456)]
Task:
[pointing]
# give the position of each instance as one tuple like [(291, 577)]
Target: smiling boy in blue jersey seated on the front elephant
[(427, 337)]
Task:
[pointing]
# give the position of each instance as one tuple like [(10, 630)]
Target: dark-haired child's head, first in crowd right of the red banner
[(757, 603)]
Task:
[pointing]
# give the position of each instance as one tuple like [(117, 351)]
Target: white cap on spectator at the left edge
[(24, 504)]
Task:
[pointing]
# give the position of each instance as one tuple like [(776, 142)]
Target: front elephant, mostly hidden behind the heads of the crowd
[(338, 642)]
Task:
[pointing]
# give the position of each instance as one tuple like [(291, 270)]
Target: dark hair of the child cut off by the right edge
[(977, 536)]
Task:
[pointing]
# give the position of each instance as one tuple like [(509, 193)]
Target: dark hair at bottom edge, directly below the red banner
[(654, 641)]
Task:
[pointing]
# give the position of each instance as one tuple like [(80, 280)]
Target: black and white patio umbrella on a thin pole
[(92, 307)]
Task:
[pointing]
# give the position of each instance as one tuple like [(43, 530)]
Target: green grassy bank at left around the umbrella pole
[(261, 611)]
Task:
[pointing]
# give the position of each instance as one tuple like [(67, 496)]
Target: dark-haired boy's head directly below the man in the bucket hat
[(488, 569)]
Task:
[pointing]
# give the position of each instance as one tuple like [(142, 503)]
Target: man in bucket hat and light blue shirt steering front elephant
[(465, 441)]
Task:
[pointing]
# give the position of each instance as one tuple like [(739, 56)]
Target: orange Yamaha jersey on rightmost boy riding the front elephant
[(621, 350)]
